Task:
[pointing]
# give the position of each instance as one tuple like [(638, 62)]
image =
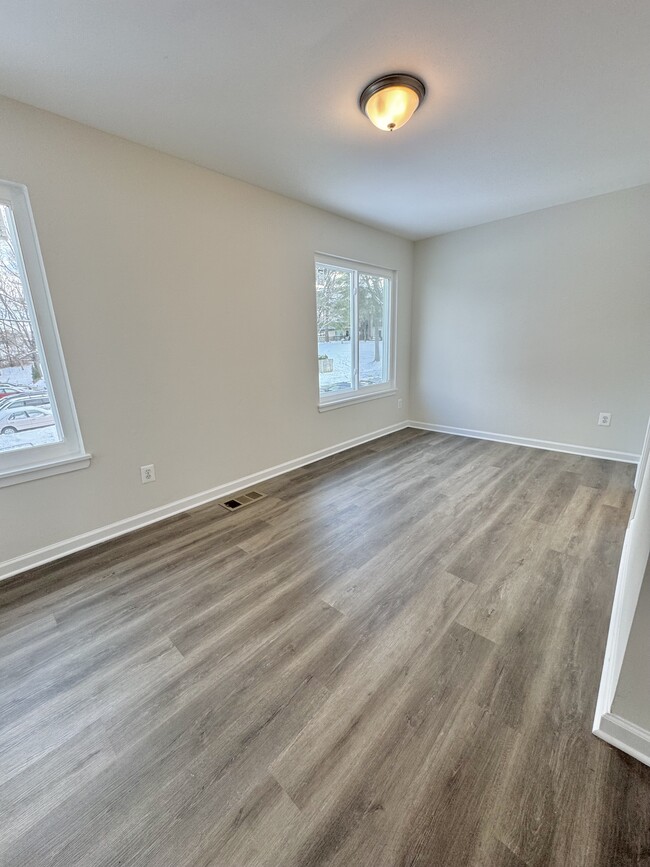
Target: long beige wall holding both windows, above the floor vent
[(186, 309)]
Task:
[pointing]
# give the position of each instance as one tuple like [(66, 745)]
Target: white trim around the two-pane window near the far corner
[(385, 389)]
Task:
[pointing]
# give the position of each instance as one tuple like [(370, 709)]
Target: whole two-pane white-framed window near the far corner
[(355, 333)]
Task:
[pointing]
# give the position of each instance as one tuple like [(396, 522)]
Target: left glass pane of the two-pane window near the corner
[(334, 320)]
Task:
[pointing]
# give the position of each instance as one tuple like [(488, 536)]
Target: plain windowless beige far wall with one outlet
[(531, 326)]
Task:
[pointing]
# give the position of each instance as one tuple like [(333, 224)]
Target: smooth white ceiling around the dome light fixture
[(530, 103)]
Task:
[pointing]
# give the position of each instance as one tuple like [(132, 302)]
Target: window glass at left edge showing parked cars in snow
[(22, 368)]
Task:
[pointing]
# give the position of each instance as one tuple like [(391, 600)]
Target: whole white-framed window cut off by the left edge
[(44, 440)]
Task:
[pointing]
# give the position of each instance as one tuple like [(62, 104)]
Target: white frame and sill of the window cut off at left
[(22, 465)]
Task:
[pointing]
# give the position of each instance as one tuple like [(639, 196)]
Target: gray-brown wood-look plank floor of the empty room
[(391, 660)]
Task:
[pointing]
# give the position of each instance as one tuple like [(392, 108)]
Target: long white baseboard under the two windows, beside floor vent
[(136, 522)]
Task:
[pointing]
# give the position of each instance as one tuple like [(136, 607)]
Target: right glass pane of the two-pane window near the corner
[(373, 309)]
